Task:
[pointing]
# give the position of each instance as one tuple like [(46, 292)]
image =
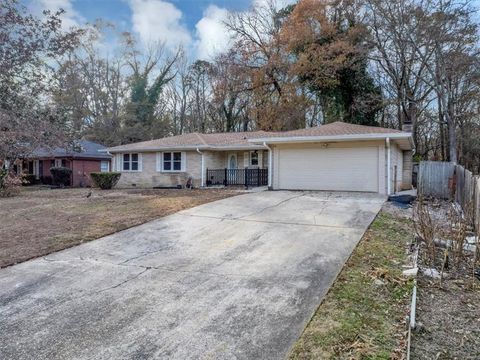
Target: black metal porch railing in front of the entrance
[(246, 177)]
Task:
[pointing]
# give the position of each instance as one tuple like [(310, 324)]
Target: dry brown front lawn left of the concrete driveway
[(39, 222)]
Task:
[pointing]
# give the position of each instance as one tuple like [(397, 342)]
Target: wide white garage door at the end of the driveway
[(336, 169)]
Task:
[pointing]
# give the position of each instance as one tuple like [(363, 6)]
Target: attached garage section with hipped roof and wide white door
[(339, 157)]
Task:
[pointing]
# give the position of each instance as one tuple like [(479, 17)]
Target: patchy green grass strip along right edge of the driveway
[(359, 319)]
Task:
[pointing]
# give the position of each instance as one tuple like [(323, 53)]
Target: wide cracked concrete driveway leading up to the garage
[(233, 279)]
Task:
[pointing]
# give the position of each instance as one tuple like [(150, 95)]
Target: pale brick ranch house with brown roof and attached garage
[(336, 156)]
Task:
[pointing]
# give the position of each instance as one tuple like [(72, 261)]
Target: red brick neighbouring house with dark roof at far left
[(84, 157)]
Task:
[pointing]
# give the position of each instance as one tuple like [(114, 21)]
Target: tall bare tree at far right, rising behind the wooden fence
[(449, 39)]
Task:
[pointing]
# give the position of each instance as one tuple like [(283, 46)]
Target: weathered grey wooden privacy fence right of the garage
[(449, 181)]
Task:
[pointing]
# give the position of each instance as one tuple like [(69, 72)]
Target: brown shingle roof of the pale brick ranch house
[(241, 138)]
